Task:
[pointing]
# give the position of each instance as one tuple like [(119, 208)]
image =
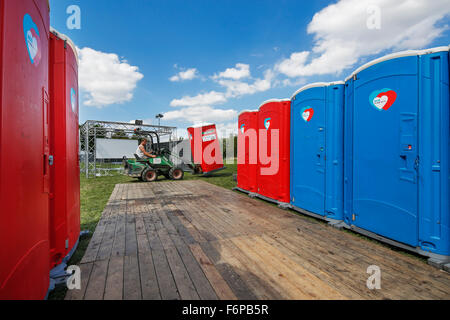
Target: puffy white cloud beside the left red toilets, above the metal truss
[(105, 79)]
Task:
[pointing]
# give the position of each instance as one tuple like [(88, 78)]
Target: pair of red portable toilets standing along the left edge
[(39, 168)]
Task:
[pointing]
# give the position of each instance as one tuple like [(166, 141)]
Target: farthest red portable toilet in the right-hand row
[(247, 151)]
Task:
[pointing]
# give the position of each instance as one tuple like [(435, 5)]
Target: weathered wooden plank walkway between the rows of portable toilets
[(194, 240)]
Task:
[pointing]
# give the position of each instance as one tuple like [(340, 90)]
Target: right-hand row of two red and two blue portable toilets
[(370, 153)]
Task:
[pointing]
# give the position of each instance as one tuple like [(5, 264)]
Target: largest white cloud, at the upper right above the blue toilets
[(341, 35)]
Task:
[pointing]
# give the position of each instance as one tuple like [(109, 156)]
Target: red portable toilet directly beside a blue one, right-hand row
[(274, 118)]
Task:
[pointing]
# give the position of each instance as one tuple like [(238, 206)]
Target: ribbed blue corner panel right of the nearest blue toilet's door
[(434, 153)]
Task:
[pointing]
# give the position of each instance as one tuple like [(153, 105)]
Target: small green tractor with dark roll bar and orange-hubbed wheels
[(148, 170)]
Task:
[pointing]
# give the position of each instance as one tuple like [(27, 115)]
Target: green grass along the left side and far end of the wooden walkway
[(95, 193)]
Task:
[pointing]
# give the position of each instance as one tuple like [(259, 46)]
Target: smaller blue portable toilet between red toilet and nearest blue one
[(317, 137)]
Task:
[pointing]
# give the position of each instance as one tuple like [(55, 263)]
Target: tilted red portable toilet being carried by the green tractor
[(205, 146)]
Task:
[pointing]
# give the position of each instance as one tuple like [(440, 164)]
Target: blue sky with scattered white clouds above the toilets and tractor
[(270, 48)]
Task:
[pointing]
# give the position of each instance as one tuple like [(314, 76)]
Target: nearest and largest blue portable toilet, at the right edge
[(396, 175)]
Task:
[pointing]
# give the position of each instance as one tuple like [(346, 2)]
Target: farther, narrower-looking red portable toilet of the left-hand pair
[(65, 182)]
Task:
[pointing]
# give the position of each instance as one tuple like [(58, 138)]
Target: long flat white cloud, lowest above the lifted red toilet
[(201, 114)]
